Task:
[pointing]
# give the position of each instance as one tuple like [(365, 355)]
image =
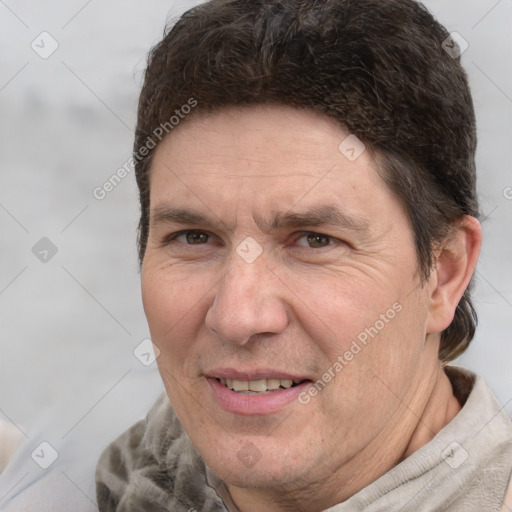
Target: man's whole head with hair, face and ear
[(309, 217)]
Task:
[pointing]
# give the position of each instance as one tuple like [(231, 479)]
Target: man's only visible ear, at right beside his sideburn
[(455, 264)]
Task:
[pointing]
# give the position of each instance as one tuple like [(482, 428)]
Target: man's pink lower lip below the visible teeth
[(250, 405)]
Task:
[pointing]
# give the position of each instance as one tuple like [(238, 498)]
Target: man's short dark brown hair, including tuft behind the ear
[(378, 67)]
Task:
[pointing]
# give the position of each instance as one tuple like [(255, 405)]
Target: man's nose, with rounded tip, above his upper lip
[(249, 301)]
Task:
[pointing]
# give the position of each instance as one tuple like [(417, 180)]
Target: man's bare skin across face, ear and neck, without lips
[(297, 307)]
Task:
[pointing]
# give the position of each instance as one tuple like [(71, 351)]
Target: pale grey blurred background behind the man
[(69, 326)]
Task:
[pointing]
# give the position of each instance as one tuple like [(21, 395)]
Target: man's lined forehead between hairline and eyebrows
[(264, 155)]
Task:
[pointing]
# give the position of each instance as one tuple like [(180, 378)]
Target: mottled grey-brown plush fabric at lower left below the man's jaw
[(153, 466)]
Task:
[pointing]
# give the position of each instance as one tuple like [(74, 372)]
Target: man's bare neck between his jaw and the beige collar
[(431, 406)]
